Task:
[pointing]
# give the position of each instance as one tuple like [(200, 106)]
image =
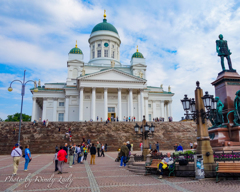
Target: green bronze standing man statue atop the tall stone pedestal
[(223, 51)]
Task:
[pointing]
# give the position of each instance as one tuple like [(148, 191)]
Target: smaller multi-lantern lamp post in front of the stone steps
[(144, 132)]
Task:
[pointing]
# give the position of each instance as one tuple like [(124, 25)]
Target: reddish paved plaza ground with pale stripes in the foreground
[(105, 176)]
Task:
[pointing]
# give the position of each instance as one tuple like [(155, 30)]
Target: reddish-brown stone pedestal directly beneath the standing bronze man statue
[(226, 85)]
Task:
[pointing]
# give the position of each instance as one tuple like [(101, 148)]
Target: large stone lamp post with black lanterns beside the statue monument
[(197, 108)]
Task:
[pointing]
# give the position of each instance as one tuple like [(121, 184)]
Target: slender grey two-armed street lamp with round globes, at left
[(22, 93)]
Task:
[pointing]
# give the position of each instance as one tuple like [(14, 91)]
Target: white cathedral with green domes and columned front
[(103, 87)]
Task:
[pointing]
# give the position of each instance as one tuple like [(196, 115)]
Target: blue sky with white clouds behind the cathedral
[(177, 38)]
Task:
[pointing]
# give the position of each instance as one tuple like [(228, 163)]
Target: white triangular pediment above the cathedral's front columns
[(112, 75)]
